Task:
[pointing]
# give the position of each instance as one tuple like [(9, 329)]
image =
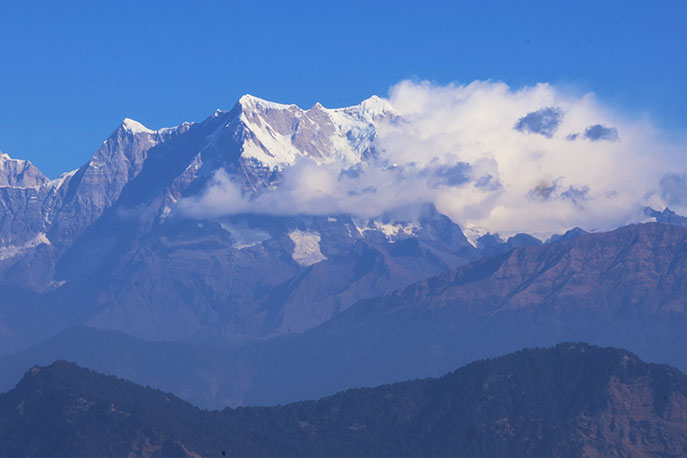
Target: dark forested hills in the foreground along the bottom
[(569, 400)]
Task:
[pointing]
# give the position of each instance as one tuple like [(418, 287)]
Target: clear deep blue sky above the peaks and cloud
[(71, 71)]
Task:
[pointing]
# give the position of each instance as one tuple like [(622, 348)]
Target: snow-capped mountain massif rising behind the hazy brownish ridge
[(105, 245)]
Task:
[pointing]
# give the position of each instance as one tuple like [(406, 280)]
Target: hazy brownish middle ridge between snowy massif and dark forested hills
[(622, 288)]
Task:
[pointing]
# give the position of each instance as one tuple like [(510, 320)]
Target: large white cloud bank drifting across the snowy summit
[(537, 160)]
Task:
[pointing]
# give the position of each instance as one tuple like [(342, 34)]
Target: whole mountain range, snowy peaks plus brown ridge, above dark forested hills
[(101, 266)]
